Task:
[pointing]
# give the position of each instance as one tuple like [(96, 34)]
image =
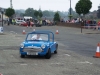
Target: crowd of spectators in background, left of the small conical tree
[(44, 22)]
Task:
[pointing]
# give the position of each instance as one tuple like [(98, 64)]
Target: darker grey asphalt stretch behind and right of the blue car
[(82, 43)]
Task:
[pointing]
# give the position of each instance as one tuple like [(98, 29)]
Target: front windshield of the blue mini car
[(37, 37)]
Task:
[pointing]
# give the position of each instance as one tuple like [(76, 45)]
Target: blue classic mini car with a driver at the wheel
[(40, 43)]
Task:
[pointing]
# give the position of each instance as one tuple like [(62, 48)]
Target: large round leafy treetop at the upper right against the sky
[(83, 6)]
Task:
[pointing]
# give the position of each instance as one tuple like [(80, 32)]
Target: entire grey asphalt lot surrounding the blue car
[(75, 53)]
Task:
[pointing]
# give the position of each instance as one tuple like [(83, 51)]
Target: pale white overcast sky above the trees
[(61, 5)]
